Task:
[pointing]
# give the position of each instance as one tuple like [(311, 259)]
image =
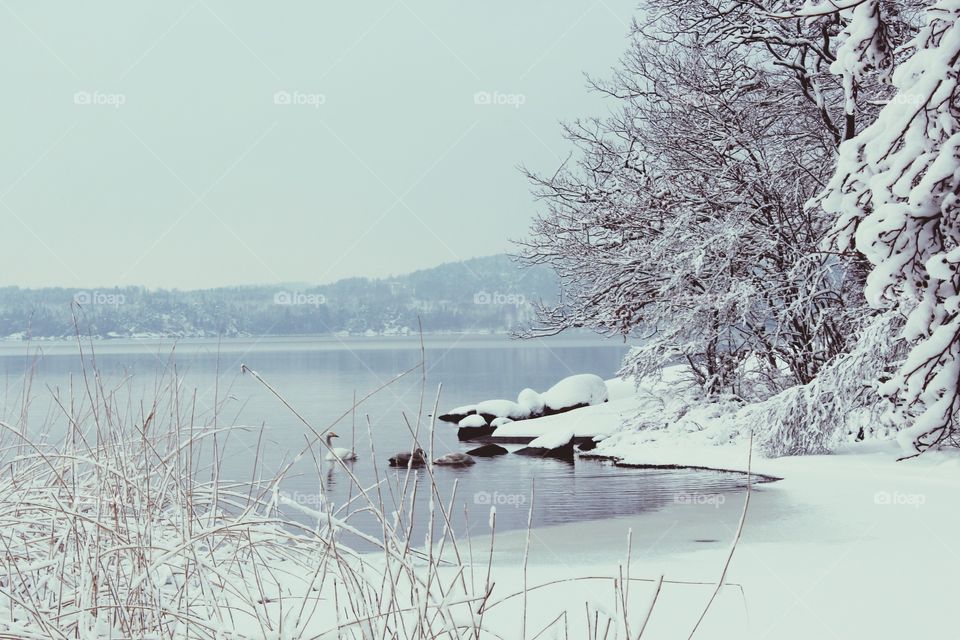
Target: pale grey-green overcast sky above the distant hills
[(211, 143)]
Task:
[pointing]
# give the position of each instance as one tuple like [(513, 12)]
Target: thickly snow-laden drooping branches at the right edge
[(896, 192)]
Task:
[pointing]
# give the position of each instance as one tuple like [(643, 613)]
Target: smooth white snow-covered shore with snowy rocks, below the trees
[(849, 545)]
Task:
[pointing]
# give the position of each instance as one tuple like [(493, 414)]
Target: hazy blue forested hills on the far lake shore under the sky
[(484, 294)]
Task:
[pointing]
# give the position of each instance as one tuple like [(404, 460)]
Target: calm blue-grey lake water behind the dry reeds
[(319, 377)]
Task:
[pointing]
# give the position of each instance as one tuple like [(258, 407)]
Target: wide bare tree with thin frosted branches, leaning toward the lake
[(682, 220)]
